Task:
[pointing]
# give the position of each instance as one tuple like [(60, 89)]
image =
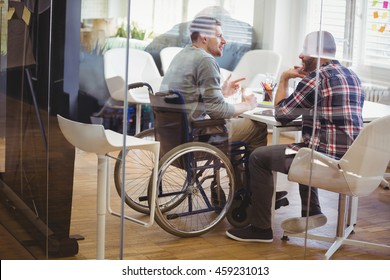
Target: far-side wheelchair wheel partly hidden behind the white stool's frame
[(138, 172)]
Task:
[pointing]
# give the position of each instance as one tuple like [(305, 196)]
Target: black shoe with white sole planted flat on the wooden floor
[(251, 234)]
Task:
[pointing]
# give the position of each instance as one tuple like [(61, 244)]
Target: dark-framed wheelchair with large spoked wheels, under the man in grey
[(197, 177)]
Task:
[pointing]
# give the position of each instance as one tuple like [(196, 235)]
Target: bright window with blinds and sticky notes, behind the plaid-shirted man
[(362, 32)]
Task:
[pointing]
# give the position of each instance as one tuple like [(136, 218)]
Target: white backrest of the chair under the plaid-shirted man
[(366, 160)]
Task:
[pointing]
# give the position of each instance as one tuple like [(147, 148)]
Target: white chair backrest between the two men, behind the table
[(255, 62)]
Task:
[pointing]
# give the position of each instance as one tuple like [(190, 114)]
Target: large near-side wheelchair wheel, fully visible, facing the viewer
[(195, 188)]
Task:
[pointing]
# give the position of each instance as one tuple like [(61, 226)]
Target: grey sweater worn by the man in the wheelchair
[(196, 75)]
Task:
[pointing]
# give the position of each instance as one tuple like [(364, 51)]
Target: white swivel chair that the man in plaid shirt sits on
[(358, 173)]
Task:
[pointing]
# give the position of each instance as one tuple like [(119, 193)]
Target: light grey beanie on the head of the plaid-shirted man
[(320, 44)]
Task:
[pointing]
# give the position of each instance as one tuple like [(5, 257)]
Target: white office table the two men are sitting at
[(371, 111)]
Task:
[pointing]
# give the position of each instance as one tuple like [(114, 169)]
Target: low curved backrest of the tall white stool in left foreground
[(87, 137)]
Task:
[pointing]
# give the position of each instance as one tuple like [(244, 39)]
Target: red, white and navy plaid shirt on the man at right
[(339, 112)]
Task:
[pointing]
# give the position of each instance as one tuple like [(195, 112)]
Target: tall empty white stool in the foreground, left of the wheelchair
[(93, 138)]
